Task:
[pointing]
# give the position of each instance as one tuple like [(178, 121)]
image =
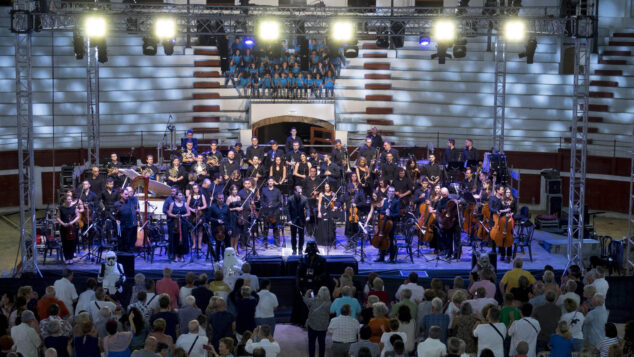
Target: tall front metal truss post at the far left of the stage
[(24, 131)]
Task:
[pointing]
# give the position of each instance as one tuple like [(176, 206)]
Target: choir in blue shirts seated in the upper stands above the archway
[(277, 71)]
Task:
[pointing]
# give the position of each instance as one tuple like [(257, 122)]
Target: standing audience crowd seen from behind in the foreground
[(235, 316)]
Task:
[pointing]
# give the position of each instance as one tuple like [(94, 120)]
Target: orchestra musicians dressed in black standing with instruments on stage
[(233, 200)]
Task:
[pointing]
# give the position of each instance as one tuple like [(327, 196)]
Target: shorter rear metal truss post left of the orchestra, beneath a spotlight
[(92, 102)]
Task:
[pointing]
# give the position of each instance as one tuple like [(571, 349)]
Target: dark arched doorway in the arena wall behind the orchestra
[(313, 131)]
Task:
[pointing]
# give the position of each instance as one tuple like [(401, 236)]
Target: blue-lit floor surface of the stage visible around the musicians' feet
[(424, 260)]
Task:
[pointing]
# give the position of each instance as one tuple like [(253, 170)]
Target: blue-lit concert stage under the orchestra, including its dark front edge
[(424, 261)]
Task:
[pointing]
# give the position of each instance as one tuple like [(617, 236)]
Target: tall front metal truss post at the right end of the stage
[(579, 142)]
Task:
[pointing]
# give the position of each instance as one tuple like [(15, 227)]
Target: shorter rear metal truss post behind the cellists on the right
[(499, 102)]
